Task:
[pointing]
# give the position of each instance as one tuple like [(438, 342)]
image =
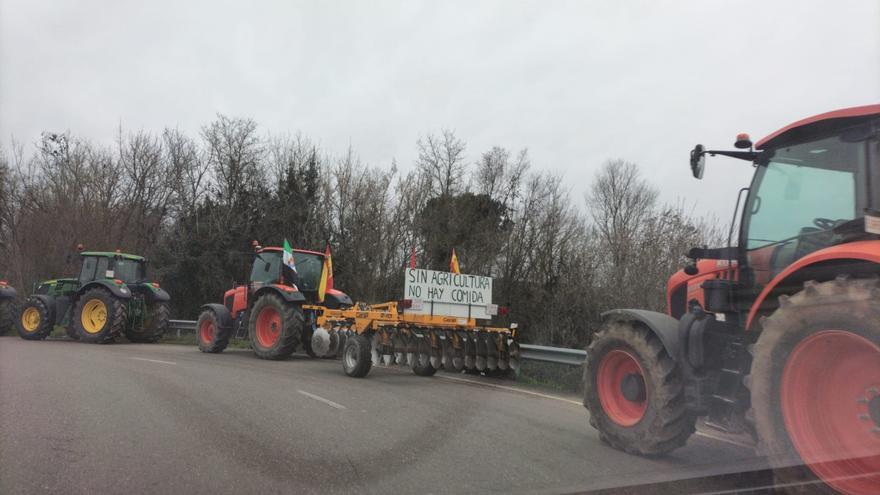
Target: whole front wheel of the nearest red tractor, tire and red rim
[(662, 423)]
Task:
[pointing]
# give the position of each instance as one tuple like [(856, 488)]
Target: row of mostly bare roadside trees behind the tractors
[(193, 203)]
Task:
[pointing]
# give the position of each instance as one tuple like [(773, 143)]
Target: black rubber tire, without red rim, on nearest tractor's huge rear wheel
[(842, 304)]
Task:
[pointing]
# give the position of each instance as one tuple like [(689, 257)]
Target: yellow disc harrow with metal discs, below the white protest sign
[(424, 343)]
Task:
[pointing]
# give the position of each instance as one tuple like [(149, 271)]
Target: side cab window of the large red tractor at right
[(800, 196)]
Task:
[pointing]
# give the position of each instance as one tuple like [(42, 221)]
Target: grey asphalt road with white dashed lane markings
[(129, 418)]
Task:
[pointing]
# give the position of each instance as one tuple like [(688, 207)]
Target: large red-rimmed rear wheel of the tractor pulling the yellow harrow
[(271, 337)]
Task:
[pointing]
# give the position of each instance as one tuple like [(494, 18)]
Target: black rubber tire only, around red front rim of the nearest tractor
[(666, 424)]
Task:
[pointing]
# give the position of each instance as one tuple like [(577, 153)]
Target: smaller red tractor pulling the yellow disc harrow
[(275, 309)]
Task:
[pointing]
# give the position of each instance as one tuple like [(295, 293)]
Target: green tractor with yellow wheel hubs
[(111, 297)]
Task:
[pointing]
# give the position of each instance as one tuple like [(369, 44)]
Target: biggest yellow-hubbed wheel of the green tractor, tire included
[(99, 317)]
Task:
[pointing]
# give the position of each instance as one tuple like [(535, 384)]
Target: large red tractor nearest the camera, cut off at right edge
[(777, 335)]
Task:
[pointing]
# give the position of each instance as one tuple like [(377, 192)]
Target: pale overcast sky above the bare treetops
[(575, 82)]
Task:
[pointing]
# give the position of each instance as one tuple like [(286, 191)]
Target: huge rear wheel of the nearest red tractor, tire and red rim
[(815, 387)]
